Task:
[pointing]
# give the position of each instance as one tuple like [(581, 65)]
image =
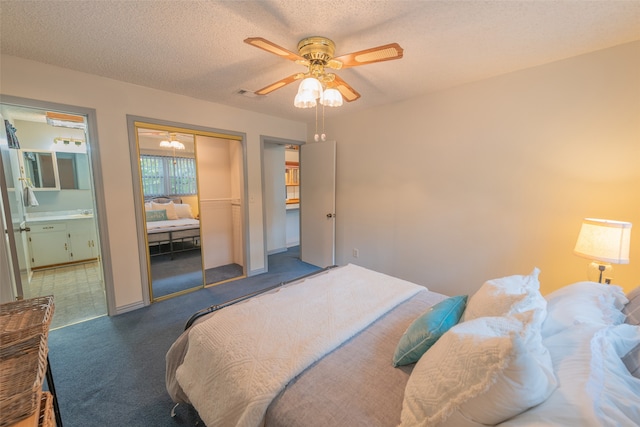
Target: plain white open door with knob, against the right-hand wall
[(317, 203)]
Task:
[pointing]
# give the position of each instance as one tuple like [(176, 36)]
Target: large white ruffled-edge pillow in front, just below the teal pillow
[(480, 372)]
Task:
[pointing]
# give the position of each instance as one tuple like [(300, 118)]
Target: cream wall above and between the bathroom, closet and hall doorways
[(113, 100)]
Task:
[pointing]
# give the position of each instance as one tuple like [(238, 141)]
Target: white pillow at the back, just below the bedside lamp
[(583, 302)]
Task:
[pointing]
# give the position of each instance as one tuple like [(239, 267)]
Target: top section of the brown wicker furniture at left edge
[(22, 319)]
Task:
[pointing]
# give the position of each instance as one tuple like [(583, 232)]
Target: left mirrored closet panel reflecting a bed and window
[(169, 185)]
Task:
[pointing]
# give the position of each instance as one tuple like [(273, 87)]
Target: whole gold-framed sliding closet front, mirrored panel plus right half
[(191, 185)]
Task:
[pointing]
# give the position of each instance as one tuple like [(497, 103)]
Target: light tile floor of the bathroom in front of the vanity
[(78, 292)]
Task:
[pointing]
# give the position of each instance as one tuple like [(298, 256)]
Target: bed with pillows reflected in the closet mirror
[(171, 226)]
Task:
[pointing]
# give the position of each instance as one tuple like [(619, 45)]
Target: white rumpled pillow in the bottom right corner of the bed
[(595, 389)]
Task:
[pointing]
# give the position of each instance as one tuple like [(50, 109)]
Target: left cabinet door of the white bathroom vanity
[(48, 244)]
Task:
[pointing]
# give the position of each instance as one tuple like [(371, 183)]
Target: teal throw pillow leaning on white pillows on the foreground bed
[(427, 329)]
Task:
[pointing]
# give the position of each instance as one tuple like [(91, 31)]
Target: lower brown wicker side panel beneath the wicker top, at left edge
[(22, 370)]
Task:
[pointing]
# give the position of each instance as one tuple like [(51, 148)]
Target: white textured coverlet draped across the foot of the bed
[(242, 357)]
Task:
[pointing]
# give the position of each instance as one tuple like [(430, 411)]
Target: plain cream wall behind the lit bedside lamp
[(493, 178)]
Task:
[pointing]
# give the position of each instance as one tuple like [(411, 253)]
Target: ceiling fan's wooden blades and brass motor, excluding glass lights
[(317, 54)]
